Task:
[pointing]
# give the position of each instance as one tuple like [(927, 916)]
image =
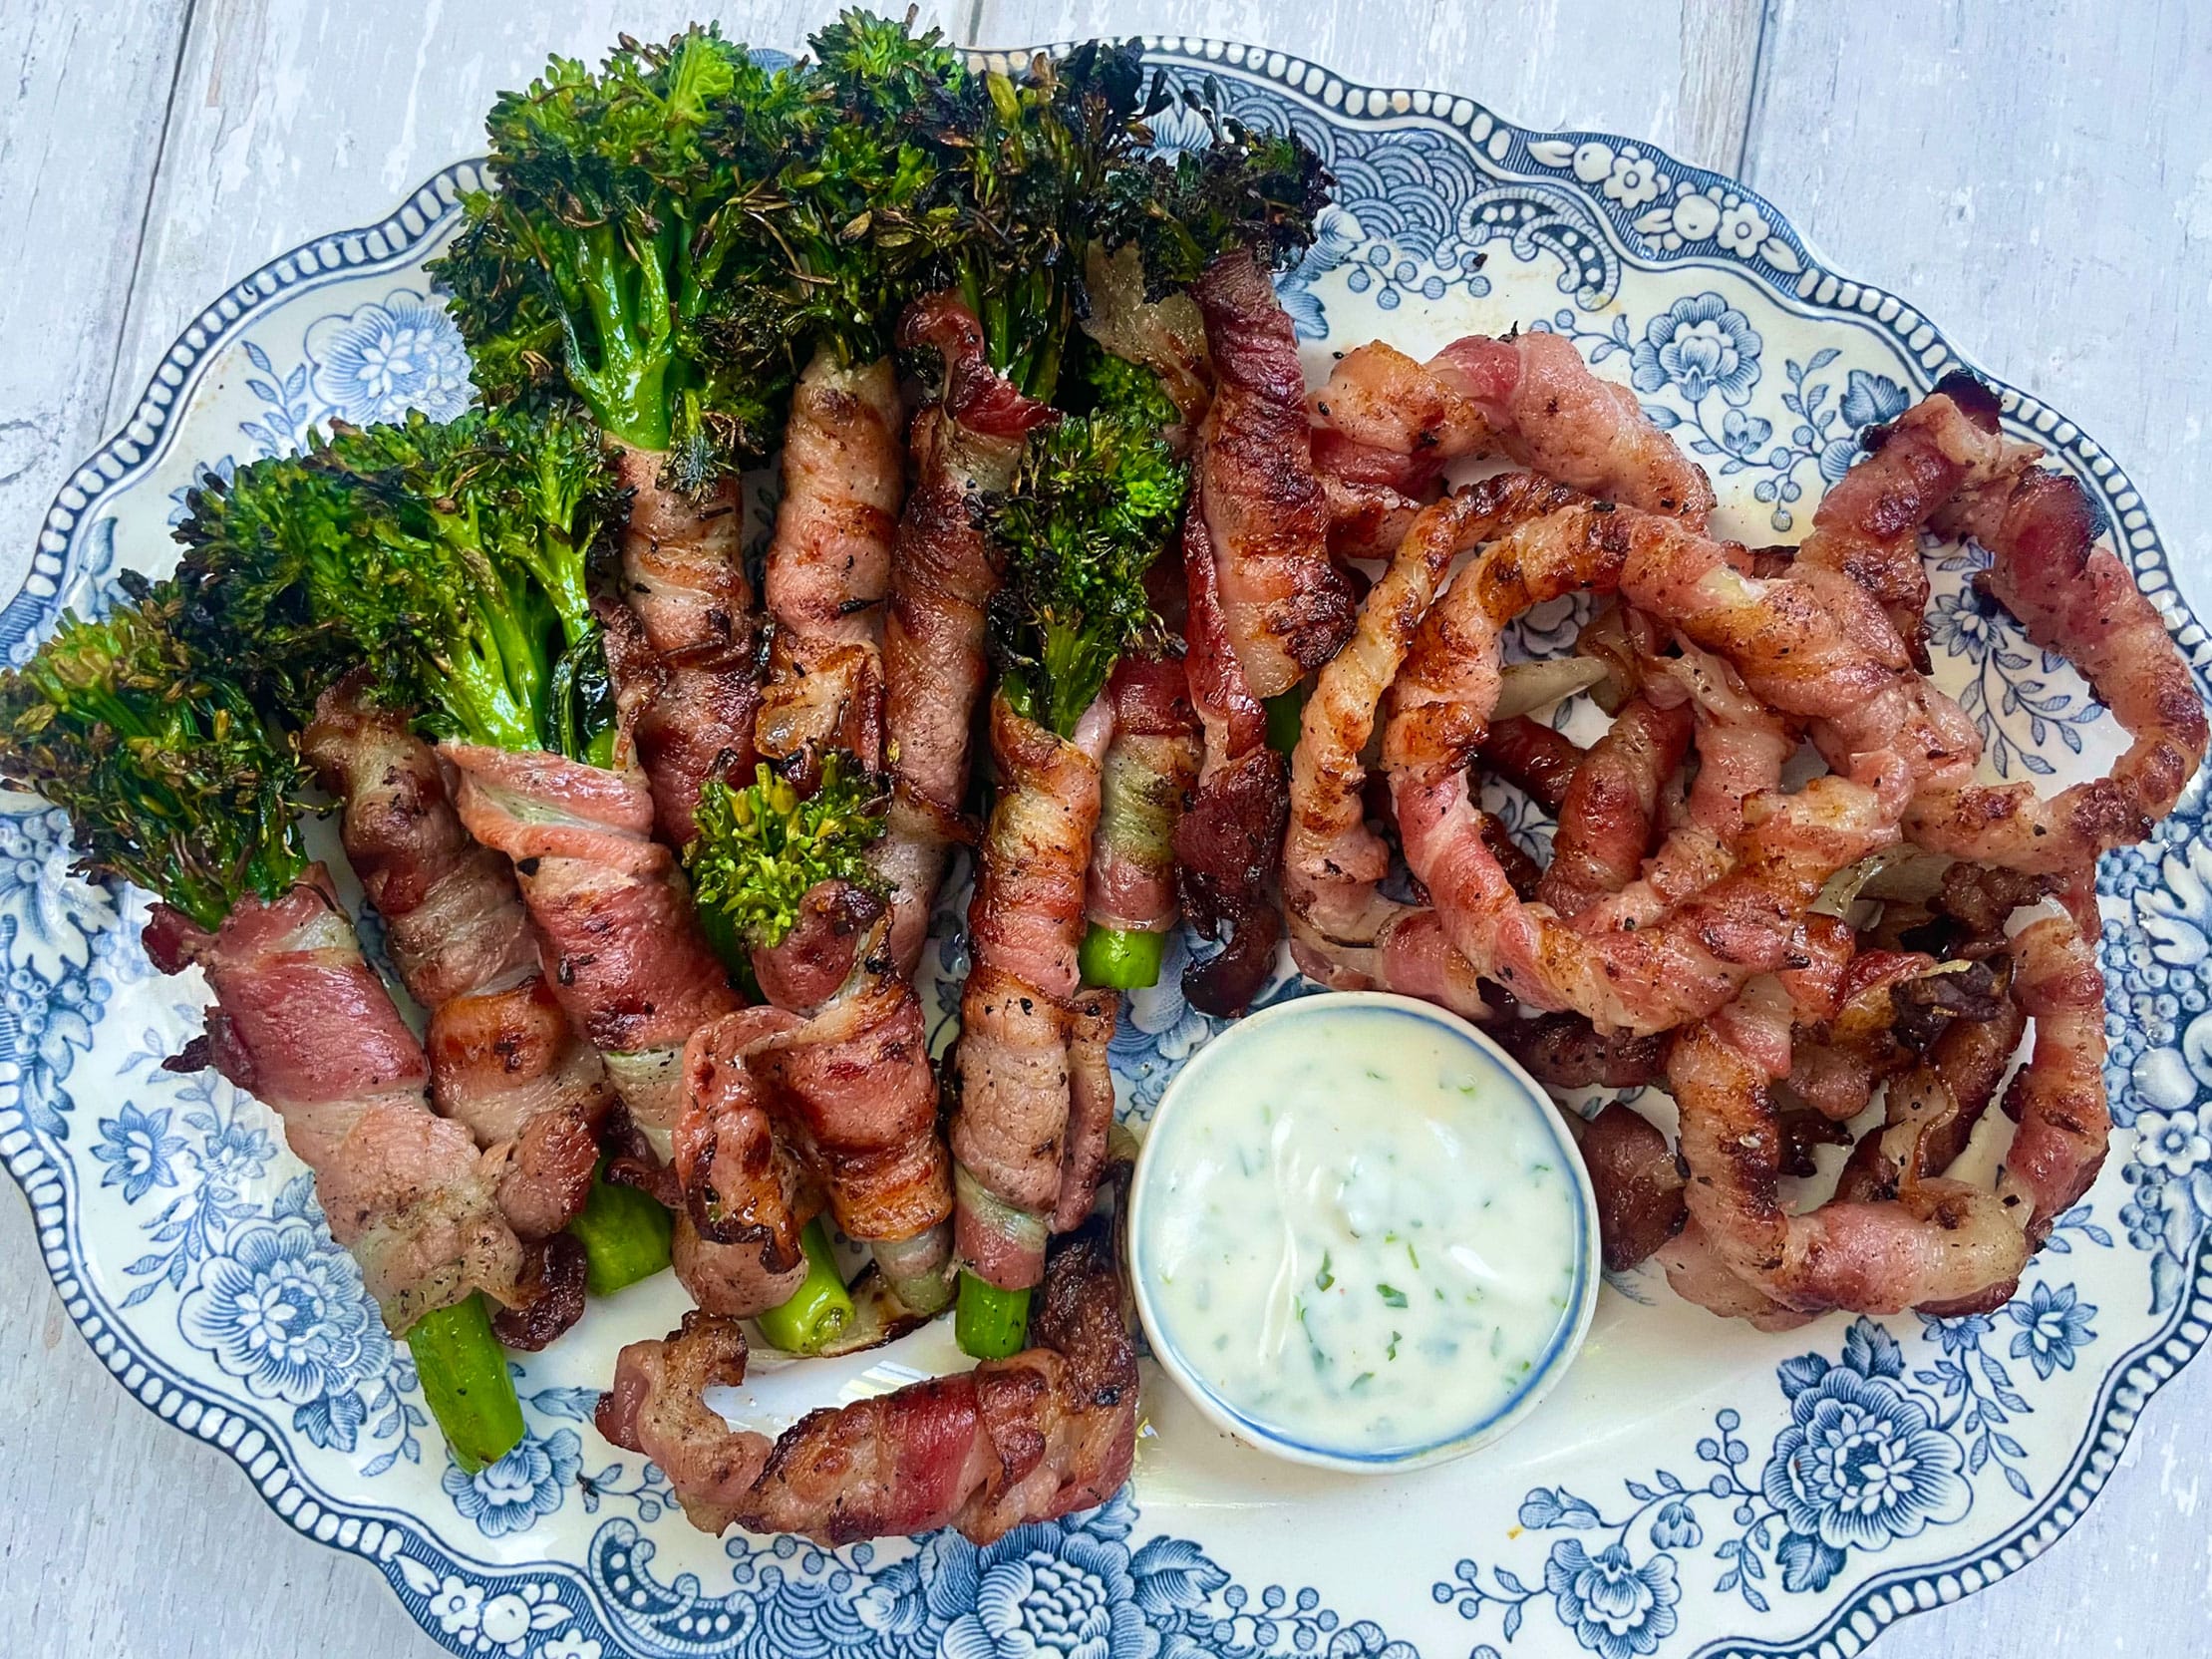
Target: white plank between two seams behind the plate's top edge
[(1667, 72)]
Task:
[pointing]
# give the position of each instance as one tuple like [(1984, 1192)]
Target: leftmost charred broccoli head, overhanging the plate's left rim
[(160, 762)]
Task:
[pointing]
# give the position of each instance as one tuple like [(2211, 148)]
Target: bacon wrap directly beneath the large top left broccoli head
[(685, 578)]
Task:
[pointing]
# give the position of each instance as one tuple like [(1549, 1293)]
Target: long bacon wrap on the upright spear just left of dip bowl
[(1019, 1012)]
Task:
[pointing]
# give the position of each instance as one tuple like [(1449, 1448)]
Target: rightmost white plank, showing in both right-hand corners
[(2038, 180)]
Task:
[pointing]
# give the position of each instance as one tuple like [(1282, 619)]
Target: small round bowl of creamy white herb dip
[(1361, 1238)]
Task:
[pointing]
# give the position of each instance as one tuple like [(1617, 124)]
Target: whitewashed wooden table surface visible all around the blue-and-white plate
[(2038, 178)]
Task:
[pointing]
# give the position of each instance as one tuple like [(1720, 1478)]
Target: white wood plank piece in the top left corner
[(81, 123)]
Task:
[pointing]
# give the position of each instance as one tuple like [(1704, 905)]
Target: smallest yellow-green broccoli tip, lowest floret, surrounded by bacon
[(762, 848)]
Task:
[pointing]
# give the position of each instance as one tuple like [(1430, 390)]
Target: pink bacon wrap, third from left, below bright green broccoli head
[(618, 937)]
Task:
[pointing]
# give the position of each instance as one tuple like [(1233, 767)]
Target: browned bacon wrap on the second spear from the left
[(501, 1052)]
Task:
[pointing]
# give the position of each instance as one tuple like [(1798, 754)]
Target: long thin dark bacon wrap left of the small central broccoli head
[(943, 576)]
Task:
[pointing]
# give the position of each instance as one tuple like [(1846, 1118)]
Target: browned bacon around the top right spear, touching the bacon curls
[(1284, 607)]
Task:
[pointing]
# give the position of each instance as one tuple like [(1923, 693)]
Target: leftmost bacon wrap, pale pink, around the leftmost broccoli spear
[(304, 1025)]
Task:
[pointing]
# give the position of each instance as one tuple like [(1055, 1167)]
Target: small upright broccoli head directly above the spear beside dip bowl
[(1094, 505)]
